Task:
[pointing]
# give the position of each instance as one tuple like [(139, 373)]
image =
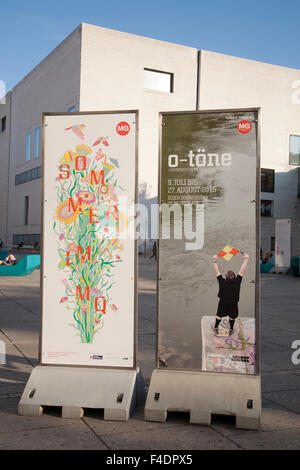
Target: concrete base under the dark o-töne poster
[(203, 394)]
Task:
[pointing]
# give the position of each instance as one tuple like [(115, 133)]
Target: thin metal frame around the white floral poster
[(135, 338)]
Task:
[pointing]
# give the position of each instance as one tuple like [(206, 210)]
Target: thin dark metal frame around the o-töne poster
[(257, 117)]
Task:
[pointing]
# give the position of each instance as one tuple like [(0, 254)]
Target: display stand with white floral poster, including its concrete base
[(88, 332)]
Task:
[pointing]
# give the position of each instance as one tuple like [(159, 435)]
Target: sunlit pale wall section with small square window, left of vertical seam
[(112, 76)]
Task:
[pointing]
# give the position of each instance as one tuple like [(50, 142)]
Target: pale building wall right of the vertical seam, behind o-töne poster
[(231, 82)]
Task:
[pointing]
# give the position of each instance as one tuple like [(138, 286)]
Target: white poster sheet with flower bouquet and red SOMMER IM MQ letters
[(89, 166)]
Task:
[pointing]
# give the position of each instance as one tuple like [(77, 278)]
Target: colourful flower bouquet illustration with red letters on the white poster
[(87, 249)]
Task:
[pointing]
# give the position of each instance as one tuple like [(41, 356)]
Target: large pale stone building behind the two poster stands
[(98, 69)]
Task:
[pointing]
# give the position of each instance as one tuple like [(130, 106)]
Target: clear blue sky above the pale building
[(264, 30)]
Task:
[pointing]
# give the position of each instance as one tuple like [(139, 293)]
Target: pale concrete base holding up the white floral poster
[(116, 391)]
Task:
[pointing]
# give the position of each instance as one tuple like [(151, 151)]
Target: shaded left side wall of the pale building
[(53, 86)]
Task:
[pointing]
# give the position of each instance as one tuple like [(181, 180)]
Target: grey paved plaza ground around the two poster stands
[(280, 326)]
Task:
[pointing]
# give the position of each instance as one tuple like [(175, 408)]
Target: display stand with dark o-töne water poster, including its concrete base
[(207, 358)]
